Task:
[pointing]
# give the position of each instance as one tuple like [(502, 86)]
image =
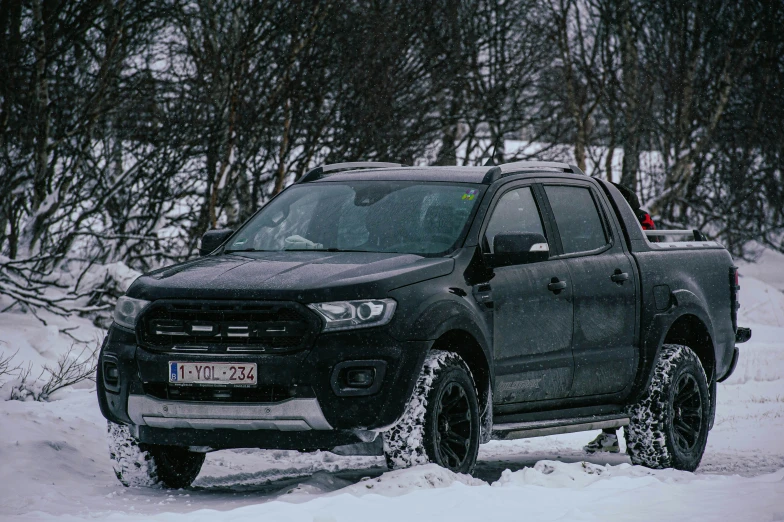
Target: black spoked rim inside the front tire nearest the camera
[(453, 424)]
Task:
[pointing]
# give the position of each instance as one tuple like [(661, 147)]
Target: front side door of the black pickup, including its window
[(532, 324)]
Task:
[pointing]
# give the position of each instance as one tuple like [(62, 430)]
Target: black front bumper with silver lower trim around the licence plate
[(313, 413)]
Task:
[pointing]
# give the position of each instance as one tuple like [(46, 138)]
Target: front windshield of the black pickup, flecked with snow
[(365, 216)]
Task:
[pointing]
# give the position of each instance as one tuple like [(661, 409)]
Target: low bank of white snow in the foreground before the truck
[(559, 492)]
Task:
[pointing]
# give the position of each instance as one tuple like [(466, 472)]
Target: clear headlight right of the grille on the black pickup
[(346, 315)]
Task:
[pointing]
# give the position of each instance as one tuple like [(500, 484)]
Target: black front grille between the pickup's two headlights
[(226, 326)]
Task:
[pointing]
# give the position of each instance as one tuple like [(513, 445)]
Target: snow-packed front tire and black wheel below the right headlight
[(441, 422)]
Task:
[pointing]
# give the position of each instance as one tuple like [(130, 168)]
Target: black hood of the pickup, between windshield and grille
[(297, 276)]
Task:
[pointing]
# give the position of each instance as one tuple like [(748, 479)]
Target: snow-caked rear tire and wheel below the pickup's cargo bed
[(669, 426)]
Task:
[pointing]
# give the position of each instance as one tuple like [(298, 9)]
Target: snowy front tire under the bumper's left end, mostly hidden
[(143, 465)]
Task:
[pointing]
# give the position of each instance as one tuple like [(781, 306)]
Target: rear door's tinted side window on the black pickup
[(577, 217)]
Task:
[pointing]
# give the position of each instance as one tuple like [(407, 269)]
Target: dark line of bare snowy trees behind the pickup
[(128, 128)]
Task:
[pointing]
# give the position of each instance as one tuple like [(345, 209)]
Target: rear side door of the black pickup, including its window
[(603, 281)]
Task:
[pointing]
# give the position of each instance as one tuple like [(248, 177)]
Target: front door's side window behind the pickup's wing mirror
[(515, 212)]
